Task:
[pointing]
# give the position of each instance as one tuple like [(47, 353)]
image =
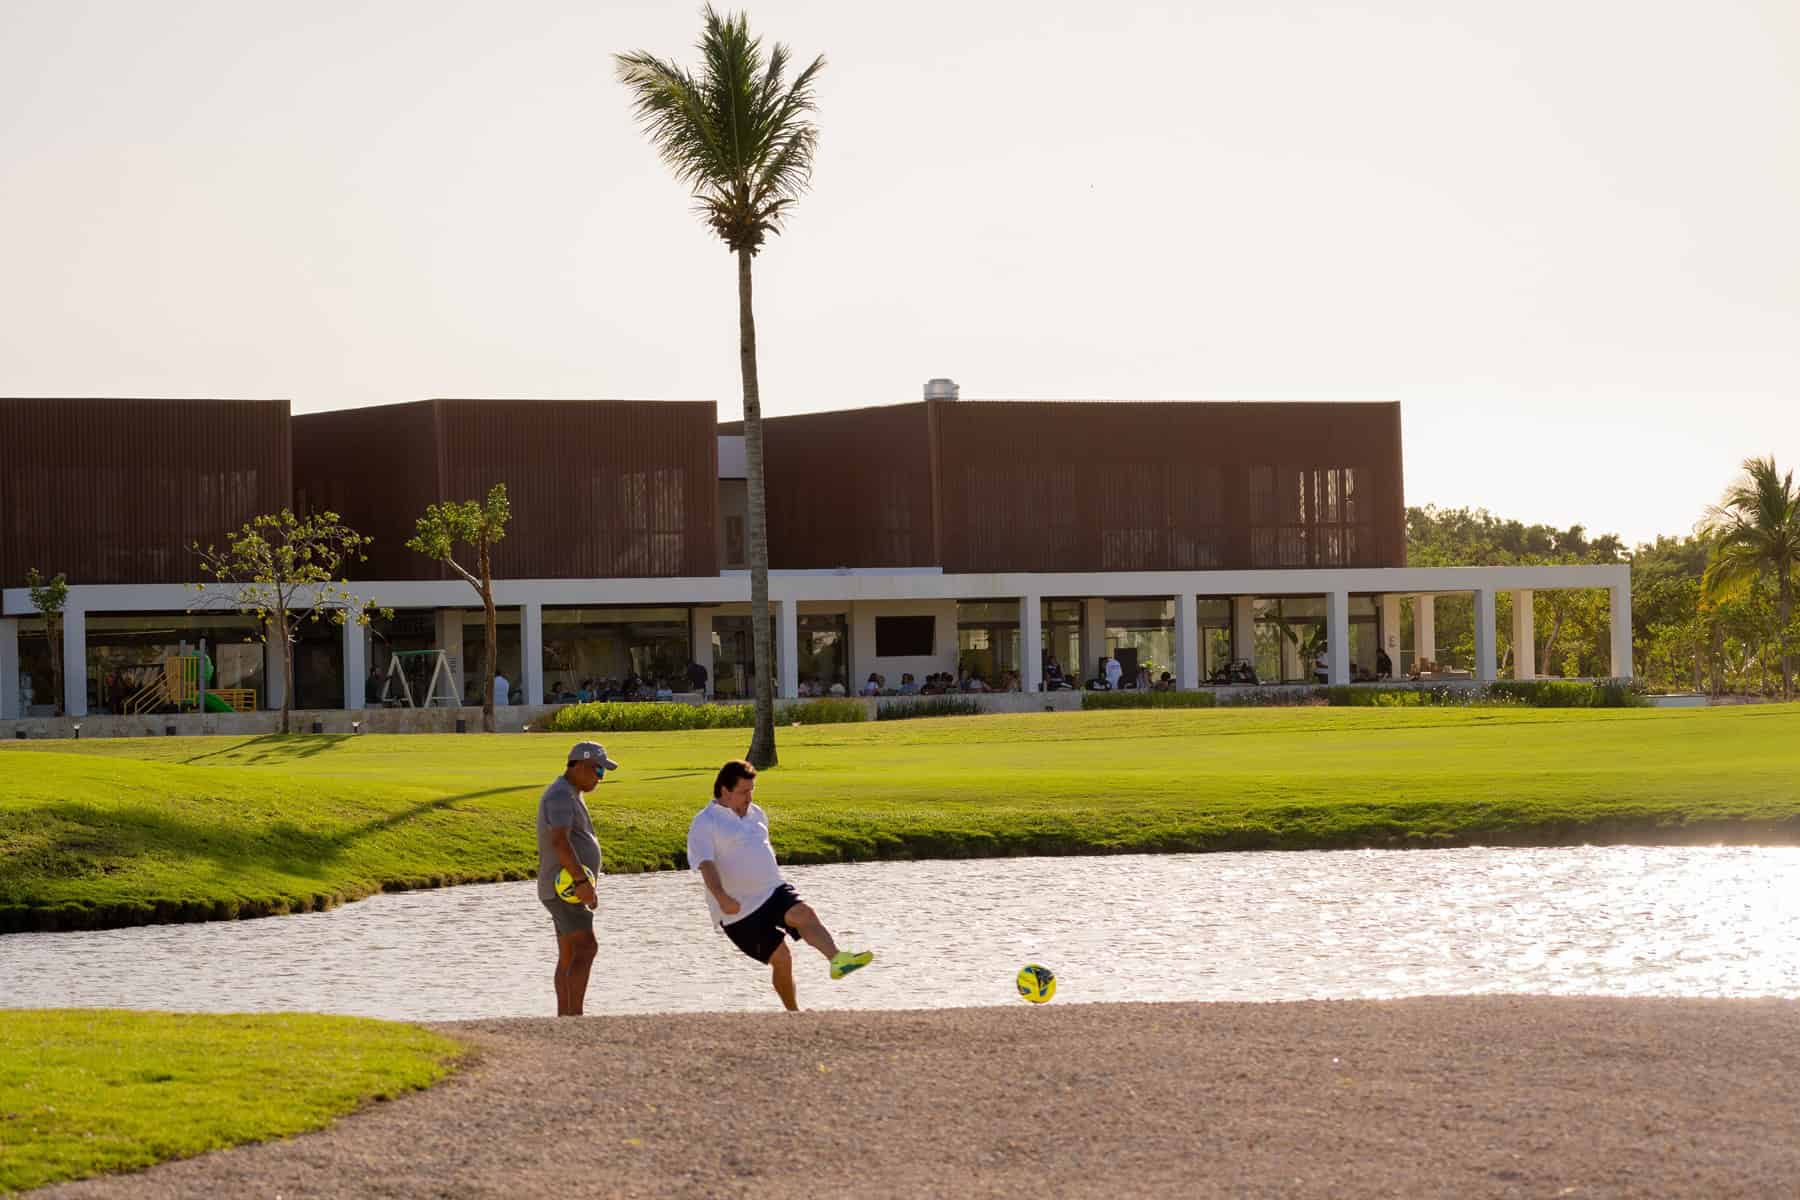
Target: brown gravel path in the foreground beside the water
[(1470, 1097)]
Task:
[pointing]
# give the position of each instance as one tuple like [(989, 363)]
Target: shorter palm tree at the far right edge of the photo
[(1758, 533)]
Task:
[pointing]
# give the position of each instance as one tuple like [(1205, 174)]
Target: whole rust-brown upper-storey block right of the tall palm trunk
[(1054, 487)]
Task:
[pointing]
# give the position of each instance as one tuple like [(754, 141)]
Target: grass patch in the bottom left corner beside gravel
[(89, 1091)]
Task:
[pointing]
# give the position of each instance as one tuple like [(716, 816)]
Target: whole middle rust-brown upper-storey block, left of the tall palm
[(598, 490)]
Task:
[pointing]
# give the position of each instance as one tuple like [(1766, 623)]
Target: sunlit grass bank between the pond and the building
[(157, 830)]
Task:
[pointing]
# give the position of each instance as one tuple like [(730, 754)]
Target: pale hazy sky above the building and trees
[(1563, 235)]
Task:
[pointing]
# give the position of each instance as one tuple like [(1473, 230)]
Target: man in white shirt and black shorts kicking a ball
[(728, 845)]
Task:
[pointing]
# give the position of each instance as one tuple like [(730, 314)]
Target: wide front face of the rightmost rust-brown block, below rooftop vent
[(1169, 487)]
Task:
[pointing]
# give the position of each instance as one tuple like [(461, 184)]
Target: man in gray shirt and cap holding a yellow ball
[(568, 843)]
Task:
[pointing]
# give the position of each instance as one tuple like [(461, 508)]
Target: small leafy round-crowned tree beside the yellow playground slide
[(287, 571)]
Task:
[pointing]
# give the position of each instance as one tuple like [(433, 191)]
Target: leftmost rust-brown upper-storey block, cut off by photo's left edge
[(120, 490)]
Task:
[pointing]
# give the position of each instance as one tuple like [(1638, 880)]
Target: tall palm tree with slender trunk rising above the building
[(739, 138)]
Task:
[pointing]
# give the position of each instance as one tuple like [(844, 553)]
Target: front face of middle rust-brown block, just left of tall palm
[(600, 490)]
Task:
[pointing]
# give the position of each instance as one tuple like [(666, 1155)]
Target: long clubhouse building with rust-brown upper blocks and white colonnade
[(976, 539)]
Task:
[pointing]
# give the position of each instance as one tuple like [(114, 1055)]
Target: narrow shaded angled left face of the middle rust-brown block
[(377, 469)]
